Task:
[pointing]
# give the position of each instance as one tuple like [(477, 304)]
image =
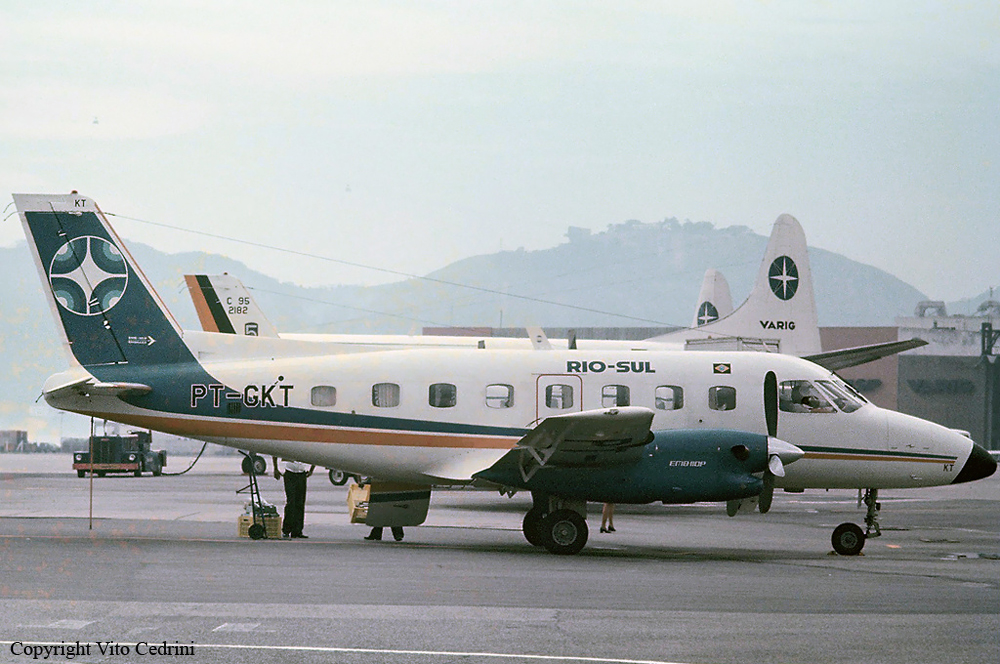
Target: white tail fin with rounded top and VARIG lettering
[(781, 305)]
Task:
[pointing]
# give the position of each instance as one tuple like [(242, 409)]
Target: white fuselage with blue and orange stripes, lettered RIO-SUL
[(380, 420)]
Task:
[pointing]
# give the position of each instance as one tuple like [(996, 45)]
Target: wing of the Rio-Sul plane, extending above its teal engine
[(591, 438)]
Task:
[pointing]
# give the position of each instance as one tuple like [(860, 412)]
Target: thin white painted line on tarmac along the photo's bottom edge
[(389, 651)]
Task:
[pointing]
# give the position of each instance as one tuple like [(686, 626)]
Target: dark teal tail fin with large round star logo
[(108, 312)]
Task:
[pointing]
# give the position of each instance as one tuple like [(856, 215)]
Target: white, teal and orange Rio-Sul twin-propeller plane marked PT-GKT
[(571, 427)]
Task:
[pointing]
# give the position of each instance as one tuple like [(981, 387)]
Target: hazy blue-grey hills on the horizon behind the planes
[(632, 274)]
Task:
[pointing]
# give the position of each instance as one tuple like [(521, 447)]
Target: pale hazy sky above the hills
[(407, 135)]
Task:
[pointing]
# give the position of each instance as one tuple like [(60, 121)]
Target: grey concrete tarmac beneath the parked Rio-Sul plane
[(160, 572)]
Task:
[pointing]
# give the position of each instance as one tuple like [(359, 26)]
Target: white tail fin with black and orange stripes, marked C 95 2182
[(225, 305)]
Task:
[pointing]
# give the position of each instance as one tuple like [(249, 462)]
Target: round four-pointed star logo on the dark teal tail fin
[(88, 275)]
